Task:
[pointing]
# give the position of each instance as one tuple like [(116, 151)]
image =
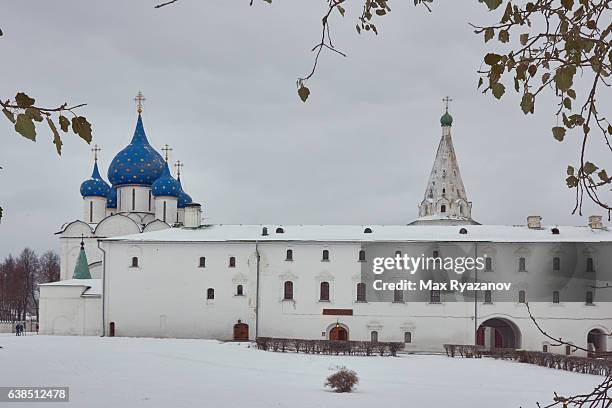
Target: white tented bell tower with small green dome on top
[(445, 200)]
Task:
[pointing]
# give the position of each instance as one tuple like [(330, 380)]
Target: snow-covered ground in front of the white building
[(168, 373)]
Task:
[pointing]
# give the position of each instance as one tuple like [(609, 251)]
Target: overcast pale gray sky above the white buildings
[(219, 78)]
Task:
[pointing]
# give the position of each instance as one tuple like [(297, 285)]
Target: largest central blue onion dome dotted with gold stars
[(138, 163)]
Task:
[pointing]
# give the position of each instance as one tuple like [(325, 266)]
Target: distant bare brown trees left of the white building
[(19, 279)]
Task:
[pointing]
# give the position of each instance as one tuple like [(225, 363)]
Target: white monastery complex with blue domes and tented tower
[(140, 263)]
